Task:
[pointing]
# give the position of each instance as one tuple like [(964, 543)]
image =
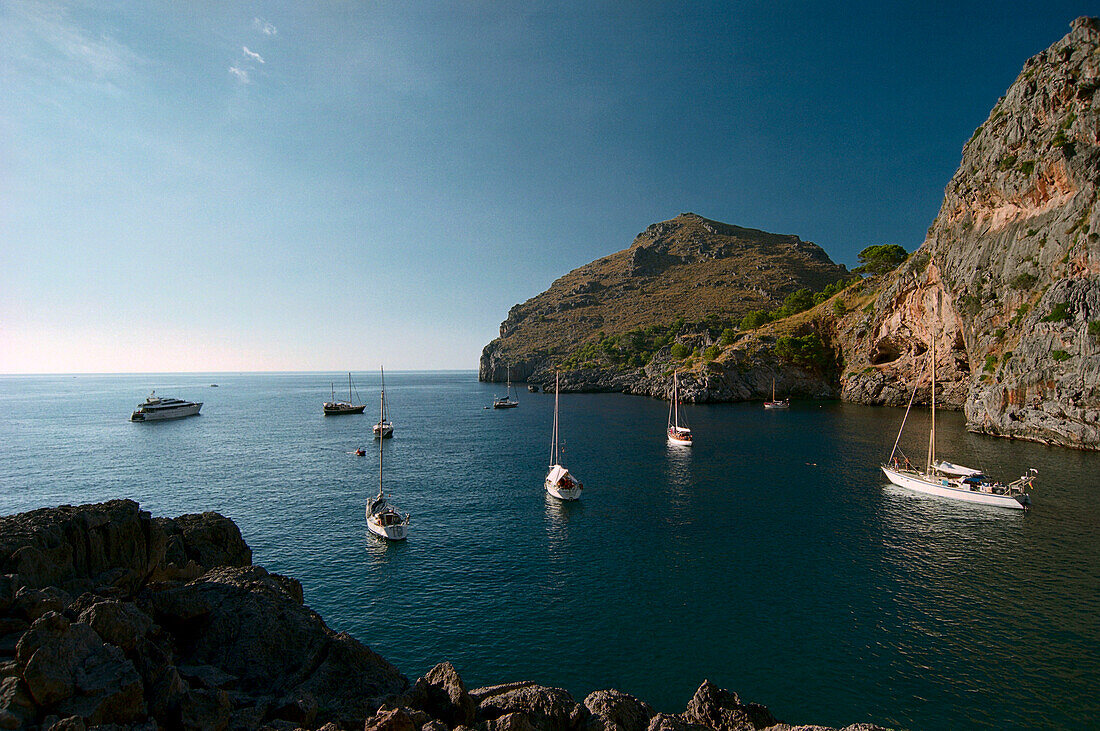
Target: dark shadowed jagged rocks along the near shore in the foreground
[(113, 619)]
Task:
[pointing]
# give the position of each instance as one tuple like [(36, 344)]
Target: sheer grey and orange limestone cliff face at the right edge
[(1008, 281)]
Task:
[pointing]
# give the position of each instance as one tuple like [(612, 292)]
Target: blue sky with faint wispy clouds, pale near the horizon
[(335, 186)]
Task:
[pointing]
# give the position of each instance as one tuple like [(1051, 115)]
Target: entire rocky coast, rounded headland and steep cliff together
[(1007, 283)]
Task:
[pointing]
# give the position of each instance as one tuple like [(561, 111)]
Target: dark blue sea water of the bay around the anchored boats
[(773, 559)]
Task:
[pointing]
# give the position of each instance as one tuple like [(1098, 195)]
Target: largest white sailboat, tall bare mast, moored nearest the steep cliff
[(951, 481)]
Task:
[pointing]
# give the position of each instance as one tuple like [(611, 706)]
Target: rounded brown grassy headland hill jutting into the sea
[(687, 274)]
